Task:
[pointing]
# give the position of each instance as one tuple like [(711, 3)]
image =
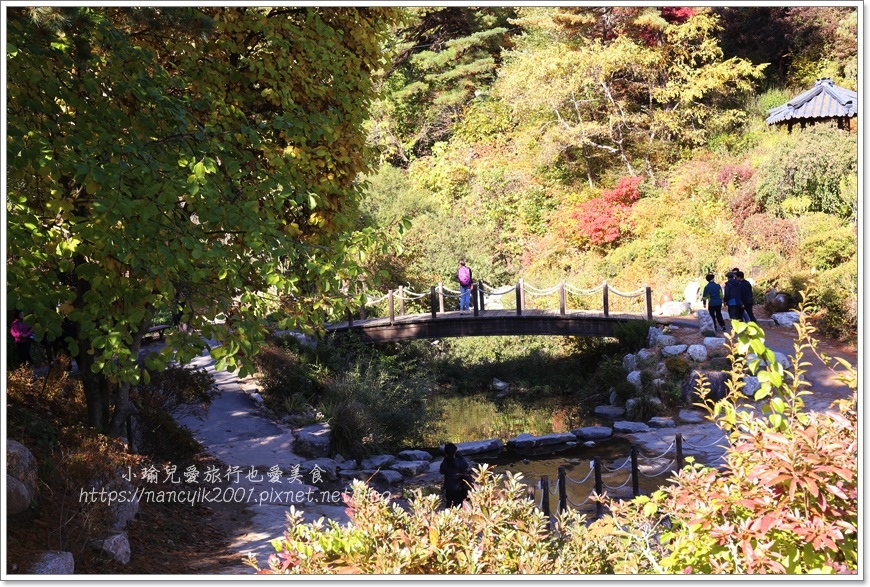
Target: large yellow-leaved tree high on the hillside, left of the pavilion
[(625, 99)]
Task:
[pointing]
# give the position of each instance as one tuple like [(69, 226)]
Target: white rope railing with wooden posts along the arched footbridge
[(482, 290)]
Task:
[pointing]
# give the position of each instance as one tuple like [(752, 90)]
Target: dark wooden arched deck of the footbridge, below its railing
[(486, 323)]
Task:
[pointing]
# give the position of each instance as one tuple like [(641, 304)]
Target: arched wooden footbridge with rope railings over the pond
[(488, 318)]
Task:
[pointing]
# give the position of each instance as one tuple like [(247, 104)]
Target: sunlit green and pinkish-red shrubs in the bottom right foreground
[(788, 503)]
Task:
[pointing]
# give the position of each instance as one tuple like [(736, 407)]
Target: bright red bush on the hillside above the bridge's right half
[(605, 219)]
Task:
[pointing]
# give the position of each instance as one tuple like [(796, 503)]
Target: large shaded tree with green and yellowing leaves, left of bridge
[(199, 161)]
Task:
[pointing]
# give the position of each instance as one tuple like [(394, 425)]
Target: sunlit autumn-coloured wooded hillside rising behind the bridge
[(618, 144)]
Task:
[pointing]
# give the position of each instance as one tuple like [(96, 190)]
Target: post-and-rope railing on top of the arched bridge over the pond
[(519, 295)]
